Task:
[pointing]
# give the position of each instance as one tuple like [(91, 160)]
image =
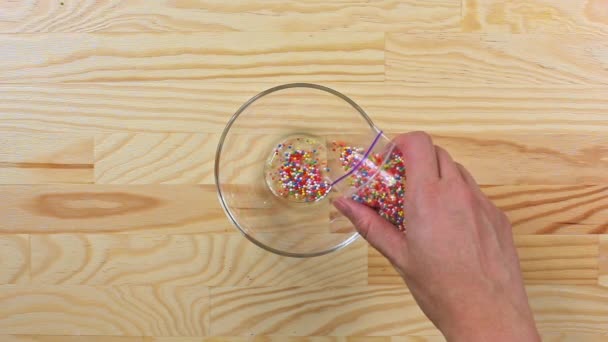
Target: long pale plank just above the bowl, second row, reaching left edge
[(246, 57)]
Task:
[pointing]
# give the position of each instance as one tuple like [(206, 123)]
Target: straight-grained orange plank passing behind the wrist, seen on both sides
[(571, 259)]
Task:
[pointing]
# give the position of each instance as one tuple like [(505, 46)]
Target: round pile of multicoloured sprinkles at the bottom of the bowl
[(296, 171)]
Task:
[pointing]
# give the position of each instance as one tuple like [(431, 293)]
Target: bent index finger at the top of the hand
[(420, 157)]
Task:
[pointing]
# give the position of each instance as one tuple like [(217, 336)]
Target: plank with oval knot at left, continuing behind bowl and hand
[(569, 209)]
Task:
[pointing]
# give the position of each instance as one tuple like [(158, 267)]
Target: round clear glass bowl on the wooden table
[(274, 123)]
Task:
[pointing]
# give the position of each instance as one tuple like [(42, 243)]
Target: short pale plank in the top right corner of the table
[(525, 16)]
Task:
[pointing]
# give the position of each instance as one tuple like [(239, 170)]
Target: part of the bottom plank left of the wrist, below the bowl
[(369, 310)]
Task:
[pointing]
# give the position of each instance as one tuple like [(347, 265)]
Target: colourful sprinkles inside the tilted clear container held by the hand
[(382, 190)]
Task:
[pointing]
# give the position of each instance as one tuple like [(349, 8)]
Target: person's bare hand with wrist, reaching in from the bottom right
[(458, 257)]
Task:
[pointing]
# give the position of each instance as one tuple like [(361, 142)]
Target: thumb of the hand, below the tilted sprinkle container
[(380, 233)]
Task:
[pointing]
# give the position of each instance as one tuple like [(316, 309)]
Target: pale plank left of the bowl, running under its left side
[(181, 158)]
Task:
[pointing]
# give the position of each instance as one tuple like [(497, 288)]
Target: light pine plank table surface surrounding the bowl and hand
[(110, 112)]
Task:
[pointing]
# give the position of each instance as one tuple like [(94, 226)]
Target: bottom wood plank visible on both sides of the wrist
[(383, 311)]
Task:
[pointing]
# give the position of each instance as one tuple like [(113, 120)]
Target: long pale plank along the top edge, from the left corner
[(241, 15)]
